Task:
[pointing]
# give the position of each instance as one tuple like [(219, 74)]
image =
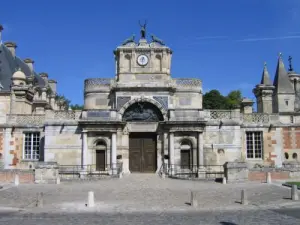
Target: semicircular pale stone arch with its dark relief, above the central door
[(144, 110)]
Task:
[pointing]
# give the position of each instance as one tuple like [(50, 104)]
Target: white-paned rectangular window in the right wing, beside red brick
[(254, 143)]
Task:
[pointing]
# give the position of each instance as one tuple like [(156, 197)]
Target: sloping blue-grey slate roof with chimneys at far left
[(9, 64)]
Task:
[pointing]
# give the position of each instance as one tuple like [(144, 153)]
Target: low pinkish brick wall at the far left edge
[(25, 176)]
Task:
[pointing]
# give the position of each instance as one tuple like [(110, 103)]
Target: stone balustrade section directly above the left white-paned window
[(26, 120)]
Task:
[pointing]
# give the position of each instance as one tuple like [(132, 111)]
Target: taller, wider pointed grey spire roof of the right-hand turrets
[(281, 82)]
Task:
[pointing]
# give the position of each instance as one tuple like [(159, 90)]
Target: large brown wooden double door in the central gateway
[(142, 152)]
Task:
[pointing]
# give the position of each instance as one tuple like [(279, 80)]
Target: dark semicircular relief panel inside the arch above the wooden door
[(142, 111)]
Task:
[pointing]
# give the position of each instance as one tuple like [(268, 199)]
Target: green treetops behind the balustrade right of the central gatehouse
[(215, 100)]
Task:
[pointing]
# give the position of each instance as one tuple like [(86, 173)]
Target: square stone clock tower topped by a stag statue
[(143, 61)]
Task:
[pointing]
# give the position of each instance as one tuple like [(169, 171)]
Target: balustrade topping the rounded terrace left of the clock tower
[(96, 84)]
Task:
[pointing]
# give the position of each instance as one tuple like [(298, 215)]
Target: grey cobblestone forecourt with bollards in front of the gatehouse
[(141, 198)]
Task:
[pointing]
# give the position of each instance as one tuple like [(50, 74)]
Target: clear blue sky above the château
[(223, 43)]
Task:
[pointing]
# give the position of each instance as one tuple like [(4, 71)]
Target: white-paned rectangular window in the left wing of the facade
[(31, 146)]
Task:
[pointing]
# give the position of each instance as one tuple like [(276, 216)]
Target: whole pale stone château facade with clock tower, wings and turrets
[(143, 99)]
